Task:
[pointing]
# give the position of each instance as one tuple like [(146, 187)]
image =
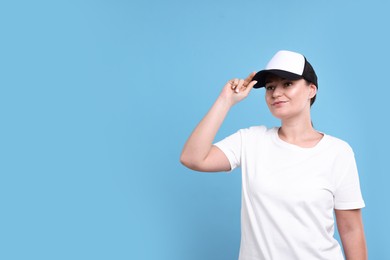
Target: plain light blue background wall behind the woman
[(98, 97)]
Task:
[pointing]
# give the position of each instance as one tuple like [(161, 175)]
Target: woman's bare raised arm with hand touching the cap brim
[(198, 152)]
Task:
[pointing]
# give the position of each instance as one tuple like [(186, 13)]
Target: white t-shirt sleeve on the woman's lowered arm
[(347, 194)]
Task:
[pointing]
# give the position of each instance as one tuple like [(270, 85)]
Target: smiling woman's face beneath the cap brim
[(288, 98)]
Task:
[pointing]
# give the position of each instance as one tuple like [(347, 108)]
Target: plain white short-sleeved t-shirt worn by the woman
[(289, 194)]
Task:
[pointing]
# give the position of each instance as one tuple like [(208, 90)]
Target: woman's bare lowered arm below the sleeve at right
[(350, 226)]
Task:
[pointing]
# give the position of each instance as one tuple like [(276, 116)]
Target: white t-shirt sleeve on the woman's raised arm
[(231, 147)]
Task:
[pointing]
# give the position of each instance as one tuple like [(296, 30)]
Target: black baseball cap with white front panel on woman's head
[(287, 65)]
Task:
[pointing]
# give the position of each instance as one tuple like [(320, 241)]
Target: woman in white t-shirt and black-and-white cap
[(293, 177)]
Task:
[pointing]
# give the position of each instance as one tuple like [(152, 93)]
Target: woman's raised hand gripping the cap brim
[(236, 90)]
